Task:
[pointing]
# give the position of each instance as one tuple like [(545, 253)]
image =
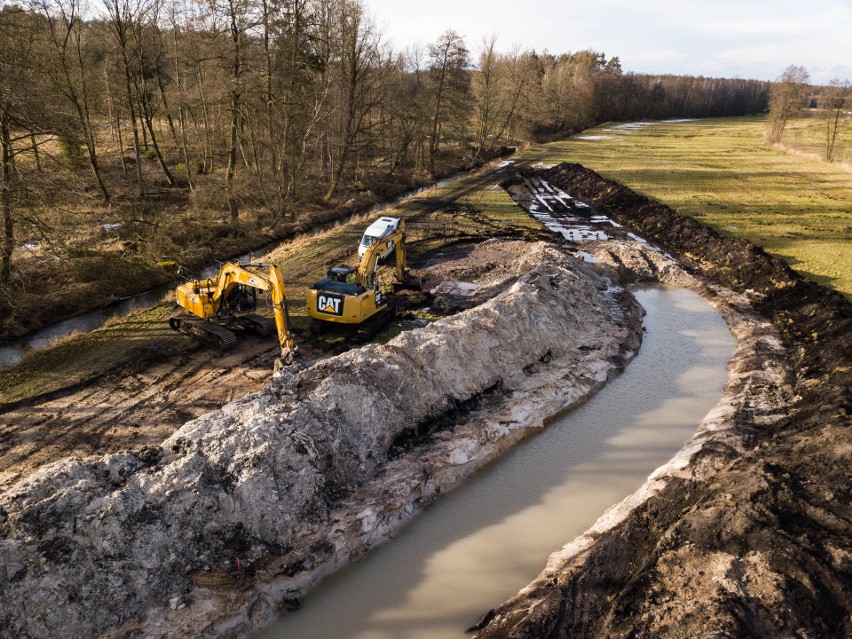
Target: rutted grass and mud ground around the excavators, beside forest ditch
[(132, 382)]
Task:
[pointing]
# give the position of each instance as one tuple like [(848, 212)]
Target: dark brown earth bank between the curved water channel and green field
[(750, 536)]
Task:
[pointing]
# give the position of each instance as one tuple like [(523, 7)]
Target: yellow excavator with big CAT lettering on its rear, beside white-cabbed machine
[(349, 295)]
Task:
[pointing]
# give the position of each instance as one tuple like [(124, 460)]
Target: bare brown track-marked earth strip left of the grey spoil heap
[(129, 411)]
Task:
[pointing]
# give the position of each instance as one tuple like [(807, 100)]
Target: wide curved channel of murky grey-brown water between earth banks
[(487, 539)]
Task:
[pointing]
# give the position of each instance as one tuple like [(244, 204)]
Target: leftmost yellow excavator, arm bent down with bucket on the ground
[(220, 305)]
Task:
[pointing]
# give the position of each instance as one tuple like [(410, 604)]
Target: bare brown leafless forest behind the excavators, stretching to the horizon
[(137, 134)]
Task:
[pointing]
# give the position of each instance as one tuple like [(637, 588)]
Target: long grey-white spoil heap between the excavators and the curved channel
[(235, 514)]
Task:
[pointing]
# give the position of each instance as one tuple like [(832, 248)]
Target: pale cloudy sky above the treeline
[(753, 39)]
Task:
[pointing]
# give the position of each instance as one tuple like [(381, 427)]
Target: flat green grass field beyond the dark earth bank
[(720, 171)]
